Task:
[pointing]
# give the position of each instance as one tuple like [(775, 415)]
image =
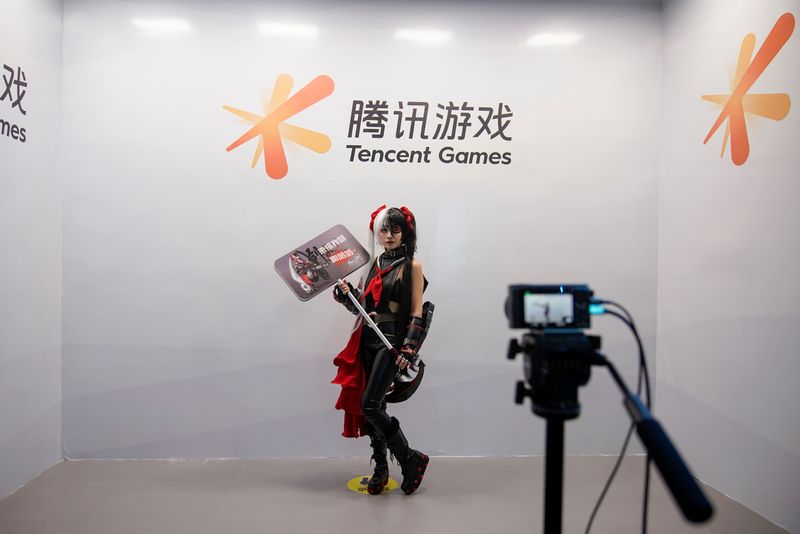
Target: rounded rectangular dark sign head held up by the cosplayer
[(316, 265)]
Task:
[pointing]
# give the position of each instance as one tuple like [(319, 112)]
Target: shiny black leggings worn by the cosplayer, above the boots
[(380, 369)]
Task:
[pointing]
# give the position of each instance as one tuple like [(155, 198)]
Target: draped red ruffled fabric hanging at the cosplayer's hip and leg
[(351, 377)]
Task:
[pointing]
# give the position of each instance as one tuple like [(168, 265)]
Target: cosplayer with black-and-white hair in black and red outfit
[(393, 298)]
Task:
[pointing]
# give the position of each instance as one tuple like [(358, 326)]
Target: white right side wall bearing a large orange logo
[(728, 262)]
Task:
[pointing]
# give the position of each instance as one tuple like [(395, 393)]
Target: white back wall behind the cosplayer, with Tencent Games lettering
[(179, 338)]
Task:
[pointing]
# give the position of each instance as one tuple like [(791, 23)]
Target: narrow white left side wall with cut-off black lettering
[(30, 240)]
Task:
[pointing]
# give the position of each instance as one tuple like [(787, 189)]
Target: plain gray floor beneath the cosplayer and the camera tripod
[(463, 495)]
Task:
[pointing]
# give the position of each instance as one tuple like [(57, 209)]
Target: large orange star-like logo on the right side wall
[(734, 106)]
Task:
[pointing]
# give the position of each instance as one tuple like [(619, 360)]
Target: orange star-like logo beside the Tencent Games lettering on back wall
[(271, 126)]
